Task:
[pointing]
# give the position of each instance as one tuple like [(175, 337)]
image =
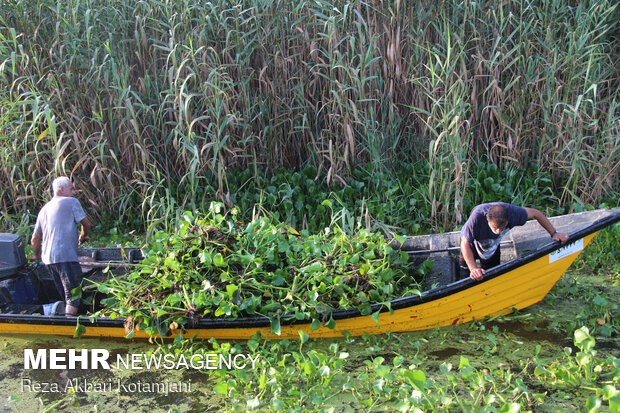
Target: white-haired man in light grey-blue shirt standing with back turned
[(55, 240)]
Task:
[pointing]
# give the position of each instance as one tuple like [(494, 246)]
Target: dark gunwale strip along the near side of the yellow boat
[(396, 304)]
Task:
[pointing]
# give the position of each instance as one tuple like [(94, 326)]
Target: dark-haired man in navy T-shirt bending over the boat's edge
[(487, 225)]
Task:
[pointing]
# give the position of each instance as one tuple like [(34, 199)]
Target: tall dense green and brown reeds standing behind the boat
[(147, 103)]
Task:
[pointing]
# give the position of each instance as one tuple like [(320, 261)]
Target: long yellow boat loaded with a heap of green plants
[(532, 265)]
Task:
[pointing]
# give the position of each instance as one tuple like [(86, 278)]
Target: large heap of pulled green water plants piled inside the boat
[(215, 266)]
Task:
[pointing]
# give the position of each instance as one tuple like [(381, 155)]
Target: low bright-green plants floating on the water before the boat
[(297, 375)]
